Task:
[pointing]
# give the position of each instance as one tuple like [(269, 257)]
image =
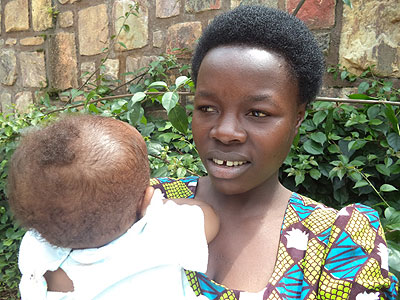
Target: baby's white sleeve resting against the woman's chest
[(180, 233)]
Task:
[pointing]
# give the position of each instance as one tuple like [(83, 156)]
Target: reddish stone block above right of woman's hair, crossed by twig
[(317, 14)]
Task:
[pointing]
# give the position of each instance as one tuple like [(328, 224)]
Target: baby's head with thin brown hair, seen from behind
[(80, 182)]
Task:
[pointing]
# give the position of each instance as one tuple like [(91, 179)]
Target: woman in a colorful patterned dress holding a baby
[(255, 70)]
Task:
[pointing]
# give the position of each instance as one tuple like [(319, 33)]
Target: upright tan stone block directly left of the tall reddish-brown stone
[(33, 69)]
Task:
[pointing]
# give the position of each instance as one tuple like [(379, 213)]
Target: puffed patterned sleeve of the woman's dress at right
[(356, 264)]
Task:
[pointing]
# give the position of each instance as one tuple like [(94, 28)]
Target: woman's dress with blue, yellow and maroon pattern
[(323, 253)]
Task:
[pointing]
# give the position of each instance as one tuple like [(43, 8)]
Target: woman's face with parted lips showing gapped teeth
[(246, 116)]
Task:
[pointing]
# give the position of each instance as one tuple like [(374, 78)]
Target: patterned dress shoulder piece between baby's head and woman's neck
[(176, 188)]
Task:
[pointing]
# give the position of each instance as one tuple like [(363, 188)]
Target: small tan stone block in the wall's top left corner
[(16, 16)]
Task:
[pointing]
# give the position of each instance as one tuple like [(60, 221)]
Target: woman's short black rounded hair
[(270, 29)]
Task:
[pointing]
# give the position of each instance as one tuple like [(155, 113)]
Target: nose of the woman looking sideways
[(228, 130)]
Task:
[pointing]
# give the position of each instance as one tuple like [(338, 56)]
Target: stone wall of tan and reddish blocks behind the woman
[(51, 43)]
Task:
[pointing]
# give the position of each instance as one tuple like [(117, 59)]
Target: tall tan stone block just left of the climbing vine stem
[(93, 30)]
